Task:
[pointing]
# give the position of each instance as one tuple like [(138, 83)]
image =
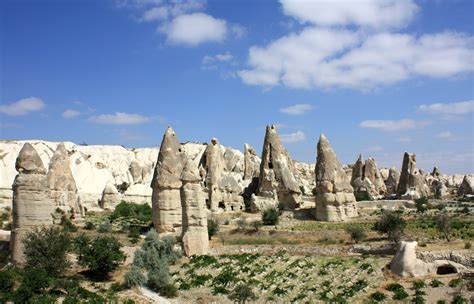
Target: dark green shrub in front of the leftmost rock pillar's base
[(46, 248)]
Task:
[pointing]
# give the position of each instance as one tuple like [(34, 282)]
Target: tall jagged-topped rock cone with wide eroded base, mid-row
[(278, 172)]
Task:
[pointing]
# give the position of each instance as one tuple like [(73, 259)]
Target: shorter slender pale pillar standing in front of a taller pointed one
[(193, 202)]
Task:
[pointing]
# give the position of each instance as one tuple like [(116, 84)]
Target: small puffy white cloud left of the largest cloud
[(194, 29)]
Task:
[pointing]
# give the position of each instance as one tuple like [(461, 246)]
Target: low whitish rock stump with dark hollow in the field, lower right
[(406, 264)]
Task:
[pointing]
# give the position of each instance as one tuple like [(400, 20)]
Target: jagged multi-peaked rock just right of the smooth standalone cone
[(366, 179)]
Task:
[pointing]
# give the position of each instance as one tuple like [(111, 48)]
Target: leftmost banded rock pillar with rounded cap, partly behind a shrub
[(32, 206)]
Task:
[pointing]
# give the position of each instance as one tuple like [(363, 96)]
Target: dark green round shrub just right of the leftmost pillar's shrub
[(100, 255)]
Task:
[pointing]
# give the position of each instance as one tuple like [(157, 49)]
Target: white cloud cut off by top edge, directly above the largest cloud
[(370, 13)]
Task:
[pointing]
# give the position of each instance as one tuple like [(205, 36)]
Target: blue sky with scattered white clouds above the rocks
[(377, 77)]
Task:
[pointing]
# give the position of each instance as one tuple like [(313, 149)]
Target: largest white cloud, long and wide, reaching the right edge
[(327, 58)]
